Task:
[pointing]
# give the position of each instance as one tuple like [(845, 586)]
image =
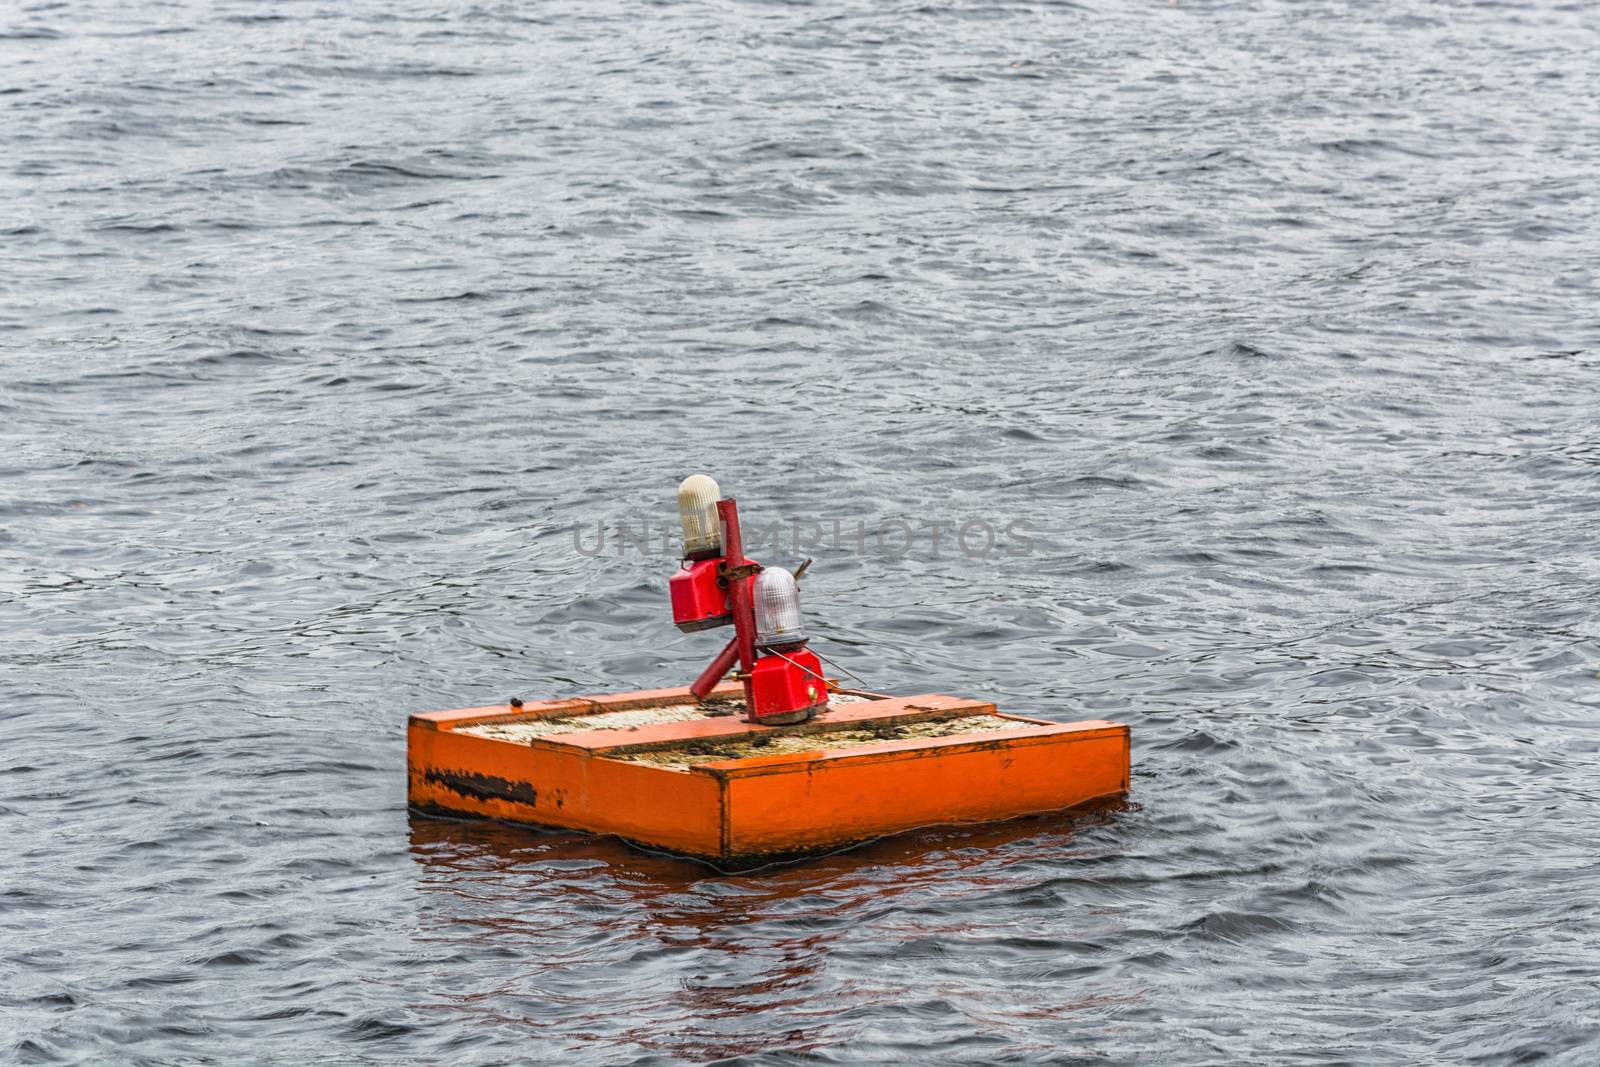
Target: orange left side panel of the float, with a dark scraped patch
[(564, 788)]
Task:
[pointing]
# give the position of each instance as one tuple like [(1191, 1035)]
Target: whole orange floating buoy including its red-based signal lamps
[(774, 762)]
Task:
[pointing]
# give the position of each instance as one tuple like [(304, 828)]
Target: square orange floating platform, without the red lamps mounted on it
[(666, 772)]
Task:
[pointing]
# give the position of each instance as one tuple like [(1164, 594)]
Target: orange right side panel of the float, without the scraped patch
[(854, 797)]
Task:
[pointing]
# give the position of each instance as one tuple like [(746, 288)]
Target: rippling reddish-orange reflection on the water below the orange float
[(601, 941)]
